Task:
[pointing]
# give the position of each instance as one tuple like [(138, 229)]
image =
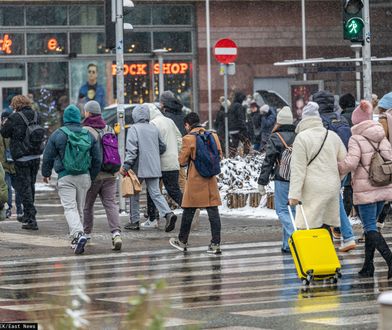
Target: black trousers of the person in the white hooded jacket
[(170, 181)]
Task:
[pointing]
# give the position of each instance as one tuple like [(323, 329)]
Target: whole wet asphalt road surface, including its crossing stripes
[(250, 286)]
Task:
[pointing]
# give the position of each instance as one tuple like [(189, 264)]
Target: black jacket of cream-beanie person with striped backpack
[(275, 148)]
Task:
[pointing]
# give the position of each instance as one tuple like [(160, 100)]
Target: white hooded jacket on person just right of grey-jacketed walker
[(170, 135)]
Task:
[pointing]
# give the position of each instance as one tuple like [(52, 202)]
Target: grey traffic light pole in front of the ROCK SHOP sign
[(120, 86)]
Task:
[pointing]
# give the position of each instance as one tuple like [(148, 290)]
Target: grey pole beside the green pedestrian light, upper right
[(366, 54)]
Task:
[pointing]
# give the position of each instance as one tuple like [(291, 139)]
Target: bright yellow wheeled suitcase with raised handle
[(313, 252)]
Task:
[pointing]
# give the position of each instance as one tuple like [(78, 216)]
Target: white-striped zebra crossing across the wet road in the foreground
[(249, 281)]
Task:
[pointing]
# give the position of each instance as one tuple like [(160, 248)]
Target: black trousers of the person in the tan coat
[(186, 223)]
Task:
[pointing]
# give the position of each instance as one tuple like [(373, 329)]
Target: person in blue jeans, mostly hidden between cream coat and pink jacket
[(333, 121)]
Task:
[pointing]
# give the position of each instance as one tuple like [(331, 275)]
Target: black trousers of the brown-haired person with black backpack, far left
[(25, 178)]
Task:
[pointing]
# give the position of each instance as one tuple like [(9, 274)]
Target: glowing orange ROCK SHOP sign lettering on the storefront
[(140, 69)]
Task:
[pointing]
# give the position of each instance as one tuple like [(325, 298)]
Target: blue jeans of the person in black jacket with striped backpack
[(281, 200)]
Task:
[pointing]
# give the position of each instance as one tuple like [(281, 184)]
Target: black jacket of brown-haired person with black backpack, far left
[(15, 129)]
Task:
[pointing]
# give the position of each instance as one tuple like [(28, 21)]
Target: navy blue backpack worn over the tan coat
[(207, 161)]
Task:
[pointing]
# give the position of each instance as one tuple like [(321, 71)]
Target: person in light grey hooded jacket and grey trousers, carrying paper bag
[(143, 149)]
